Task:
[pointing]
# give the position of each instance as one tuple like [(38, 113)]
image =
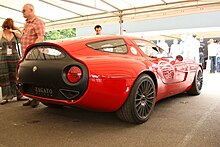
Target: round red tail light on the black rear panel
[(74, 74)]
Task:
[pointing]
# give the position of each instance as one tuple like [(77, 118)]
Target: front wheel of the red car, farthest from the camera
[(197, 83)]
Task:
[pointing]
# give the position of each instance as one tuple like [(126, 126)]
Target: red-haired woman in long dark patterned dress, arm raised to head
[(9, 57)]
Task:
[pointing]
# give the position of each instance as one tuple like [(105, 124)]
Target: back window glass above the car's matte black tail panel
[(44, 53)]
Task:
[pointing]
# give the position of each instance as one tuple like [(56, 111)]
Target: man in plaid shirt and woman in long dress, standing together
[(33, 32)]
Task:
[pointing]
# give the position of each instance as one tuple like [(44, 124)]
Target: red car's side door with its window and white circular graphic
[(169, 69)]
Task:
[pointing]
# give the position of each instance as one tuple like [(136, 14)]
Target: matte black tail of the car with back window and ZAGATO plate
[(47, 72)]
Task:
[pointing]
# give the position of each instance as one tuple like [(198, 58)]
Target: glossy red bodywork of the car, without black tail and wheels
[(111, 76)]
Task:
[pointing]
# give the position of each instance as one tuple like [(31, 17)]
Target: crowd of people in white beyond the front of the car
[(192, 48)]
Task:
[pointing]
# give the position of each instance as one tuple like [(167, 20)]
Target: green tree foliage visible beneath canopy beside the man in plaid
[(60, 34)]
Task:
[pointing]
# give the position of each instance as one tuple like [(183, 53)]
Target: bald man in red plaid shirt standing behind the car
[(33, 32)]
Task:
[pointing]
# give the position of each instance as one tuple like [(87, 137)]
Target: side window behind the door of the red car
[(112, 46)]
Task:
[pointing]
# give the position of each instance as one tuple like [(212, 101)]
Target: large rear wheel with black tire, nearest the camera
[(140, 102)]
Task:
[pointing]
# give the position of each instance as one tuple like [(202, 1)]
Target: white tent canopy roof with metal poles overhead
[(60, 14)]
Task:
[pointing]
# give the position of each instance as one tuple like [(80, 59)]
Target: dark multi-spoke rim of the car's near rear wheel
[(144, 101)]
